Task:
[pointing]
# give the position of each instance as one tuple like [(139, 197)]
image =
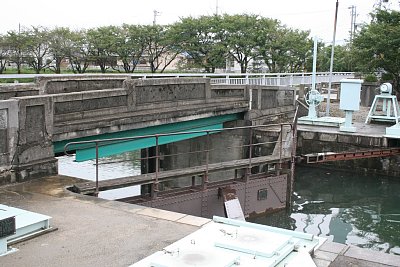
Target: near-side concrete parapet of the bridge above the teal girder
[(140, 103)]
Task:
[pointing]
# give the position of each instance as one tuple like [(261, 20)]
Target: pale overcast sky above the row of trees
[(314, 15)]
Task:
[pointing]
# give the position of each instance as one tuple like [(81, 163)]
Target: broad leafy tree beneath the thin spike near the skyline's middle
[(197, 39)]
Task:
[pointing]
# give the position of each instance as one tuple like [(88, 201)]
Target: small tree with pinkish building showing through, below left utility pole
[(161, 48)]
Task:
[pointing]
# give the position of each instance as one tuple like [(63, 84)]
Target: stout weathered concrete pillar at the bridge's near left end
[(27, 127)]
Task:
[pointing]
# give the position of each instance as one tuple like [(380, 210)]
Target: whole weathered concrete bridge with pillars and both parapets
[(37, 120)]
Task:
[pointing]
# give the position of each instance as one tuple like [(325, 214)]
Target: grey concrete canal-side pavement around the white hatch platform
[(98, 232)]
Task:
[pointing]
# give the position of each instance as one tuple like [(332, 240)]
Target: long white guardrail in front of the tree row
[(275, 79)]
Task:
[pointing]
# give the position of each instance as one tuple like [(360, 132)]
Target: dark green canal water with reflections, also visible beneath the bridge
[(362, 210)]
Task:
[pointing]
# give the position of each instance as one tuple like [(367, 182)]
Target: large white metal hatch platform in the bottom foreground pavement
[(226, 242)]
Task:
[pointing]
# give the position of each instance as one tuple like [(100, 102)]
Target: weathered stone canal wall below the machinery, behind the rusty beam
[(315, 139)]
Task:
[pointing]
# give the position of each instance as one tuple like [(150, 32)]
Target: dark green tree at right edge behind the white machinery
[(376, 46)]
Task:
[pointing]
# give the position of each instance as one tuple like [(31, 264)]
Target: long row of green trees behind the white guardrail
[(206, 43)]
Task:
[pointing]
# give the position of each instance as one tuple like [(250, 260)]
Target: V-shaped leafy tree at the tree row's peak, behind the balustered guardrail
[(239, 34)]
